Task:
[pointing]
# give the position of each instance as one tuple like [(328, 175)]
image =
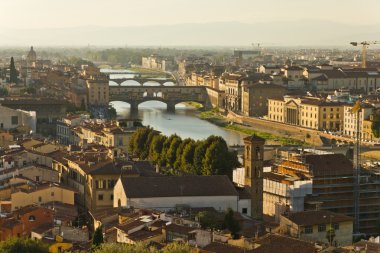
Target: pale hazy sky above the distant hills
[(70, 13)]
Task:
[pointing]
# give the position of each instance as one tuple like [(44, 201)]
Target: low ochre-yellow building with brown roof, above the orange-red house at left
[(42, 194)]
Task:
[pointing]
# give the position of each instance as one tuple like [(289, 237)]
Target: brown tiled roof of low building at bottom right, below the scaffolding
[(309, 218)]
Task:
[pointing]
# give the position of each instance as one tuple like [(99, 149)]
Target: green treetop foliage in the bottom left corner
[(17, 245)]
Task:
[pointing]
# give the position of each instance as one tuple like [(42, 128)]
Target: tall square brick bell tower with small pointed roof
[(253, 175)]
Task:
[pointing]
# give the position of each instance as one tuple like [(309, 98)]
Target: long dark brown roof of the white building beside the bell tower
[(173, 186)]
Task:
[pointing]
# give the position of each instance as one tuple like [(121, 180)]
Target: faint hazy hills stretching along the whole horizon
[(307, 32)]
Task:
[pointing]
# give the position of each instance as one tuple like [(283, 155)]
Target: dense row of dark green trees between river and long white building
[(184, 156)]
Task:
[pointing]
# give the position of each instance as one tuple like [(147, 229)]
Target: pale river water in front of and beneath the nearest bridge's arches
[(183, 122)]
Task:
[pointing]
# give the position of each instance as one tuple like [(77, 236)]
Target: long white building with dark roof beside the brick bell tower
[(166, 193)]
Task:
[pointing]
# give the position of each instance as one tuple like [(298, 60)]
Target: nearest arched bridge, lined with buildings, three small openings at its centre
[(171, 95)]
